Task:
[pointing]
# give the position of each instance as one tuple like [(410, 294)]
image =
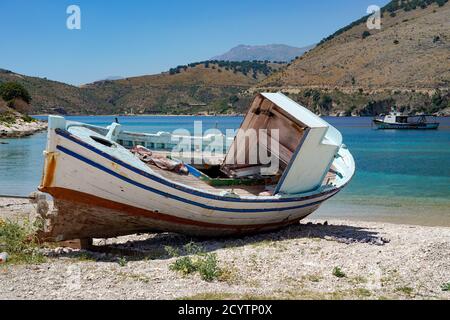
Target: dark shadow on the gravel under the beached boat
[(154, 246)]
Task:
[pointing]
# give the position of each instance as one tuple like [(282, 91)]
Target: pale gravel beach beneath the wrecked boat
[(379, 260)]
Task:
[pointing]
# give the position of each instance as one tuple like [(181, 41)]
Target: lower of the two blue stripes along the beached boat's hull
[(172, 196)]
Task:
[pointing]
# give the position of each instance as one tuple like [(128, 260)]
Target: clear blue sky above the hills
[(135, 37)]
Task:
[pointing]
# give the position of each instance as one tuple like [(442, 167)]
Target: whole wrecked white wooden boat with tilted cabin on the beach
[(102, 188)]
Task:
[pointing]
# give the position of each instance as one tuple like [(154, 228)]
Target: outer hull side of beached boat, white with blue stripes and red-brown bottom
[(97, 196)]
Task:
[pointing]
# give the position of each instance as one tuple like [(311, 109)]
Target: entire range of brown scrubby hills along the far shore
[(353, 71)]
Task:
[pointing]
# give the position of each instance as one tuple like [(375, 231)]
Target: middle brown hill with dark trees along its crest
[(206, 87)]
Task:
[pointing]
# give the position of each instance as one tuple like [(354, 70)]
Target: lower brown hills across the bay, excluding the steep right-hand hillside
[(202, 87)]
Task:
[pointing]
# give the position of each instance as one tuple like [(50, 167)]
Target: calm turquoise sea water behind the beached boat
[(402, 176)]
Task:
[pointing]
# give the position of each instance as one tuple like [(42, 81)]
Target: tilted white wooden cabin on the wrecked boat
[(305, 148)]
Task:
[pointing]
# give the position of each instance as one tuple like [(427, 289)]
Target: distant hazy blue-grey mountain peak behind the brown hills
[(272, 52)]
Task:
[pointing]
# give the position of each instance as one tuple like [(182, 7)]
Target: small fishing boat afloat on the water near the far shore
[(398, 120)]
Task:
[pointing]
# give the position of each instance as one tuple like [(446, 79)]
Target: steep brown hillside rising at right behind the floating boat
[(353, 71)]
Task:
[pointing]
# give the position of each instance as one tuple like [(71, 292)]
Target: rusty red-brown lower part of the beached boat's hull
[(93, 217)]
